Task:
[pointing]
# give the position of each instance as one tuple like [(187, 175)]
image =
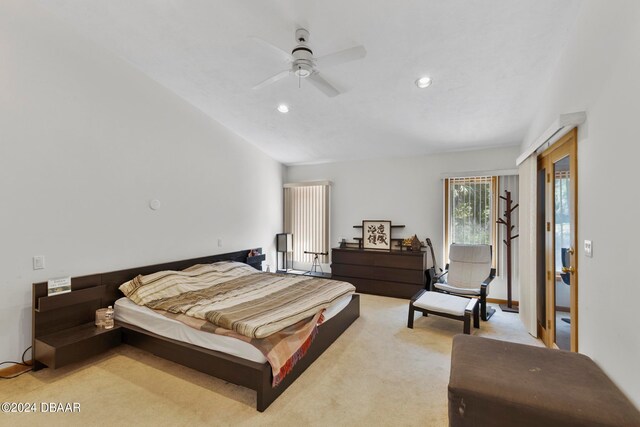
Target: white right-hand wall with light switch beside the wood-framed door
[(598, 72)]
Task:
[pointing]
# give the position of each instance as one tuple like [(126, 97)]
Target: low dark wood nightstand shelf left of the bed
[(75, 344)]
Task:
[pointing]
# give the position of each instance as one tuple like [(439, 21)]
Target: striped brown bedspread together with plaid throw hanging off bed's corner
[(277, 314)]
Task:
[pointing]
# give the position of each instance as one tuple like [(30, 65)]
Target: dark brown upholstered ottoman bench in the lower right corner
[(498, 383)]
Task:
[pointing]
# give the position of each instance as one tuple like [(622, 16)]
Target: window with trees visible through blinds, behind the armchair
[(470, 206)]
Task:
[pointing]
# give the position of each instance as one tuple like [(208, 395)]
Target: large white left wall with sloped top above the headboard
[(85, 142)]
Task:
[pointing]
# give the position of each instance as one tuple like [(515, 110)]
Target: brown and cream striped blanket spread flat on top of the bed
[(235, 296)]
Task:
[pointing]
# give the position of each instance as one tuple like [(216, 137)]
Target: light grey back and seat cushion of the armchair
[(469, 265)]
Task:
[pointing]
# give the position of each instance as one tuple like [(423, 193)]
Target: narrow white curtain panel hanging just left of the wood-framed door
[(527, 173)]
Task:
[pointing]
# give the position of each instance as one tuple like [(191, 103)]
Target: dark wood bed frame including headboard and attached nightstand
[(63, 330)]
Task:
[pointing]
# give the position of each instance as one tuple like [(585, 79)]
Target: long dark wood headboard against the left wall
[(89, 293)]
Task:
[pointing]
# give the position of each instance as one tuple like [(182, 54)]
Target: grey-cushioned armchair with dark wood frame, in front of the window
[(468, 274)]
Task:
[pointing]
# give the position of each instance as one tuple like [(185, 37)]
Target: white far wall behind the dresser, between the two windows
[(406, 191)]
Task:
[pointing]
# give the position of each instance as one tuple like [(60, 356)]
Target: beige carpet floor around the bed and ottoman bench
[(379, 372)]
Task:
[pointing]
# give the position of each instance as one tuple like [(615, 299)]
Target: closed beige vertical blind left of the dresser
[(306, 216)]
